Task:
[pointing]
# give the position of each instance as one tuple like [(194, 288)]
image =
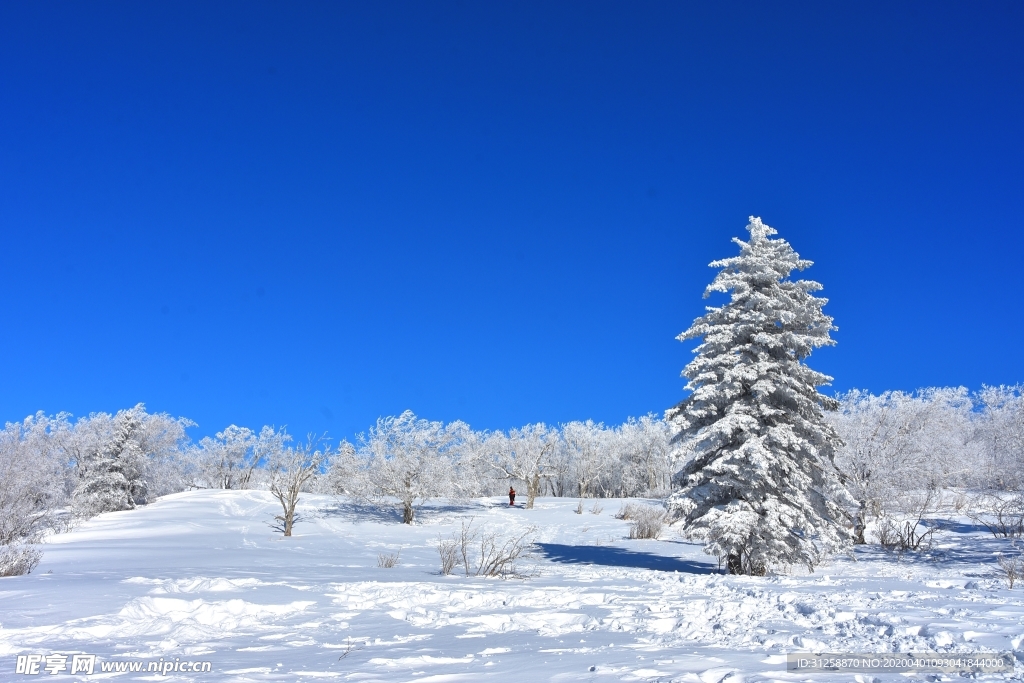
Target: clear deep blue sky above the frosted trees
[(314, 215)]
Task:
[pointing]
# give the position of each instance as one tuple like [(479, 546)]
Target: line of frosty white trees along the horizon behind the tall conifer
[(55, 469)]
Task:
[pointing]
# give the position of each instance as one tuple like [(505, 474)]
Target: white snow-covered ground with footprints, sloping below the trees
[(200, 576)]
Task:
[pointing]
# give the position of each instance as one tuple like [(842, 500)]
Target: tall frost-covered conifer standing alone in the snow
[(760, 489)]
